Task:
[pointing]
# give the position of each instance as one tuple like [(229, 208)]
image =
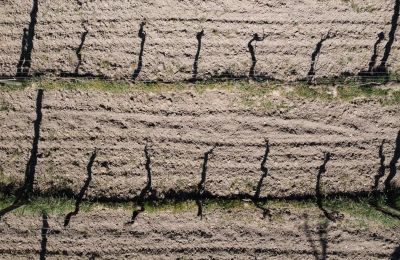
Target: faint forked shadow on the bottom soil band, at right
[(323, 239)]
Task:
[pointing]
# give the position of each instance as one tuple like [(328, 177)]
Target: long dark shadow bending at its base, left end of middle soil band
[(24, 194)]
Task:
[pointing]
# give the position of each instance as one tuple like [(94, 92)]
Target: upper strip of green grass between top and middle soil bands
[(253, 94)]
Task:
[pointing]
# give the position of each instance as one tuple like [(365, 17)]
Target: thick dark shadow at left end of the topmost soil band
[(24, 64)]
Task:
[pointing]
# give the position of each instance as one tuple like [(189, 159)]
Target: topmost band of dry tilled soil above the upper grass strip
[(173, 40)]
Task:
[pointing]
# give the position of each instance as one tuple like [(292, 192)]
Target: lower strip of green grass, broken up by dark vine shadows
[(361, 210)]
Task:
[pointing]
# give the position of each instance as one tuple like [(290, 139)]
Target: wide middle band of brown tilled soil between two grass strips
[(179, 128)]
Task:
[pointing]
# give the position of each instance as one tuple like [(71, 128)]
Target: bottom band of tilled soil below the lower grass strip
[(238, 233)]
